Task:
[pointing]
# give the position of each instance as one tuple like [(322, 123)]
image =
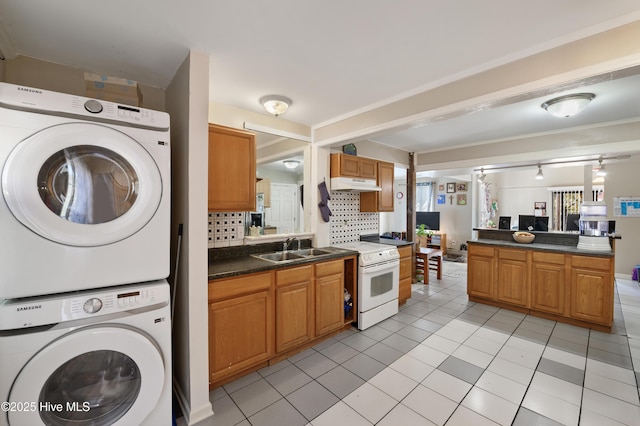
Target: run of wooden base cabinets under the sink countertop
[(260, 317)]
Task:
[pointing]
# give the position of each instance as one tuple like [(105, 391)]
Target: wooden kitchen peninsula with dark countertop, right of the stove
[(549, 278)]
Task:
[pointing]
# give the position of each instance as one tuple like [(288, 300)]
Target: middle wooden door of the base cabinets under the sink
[(294, 307)]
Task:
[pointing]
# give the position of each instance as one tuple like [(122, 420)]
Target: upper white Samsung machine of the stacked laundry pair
[(85, 193)]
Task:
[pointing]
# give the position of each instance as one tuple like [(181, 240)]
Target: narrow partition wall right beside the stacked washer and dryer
[(187, 102)]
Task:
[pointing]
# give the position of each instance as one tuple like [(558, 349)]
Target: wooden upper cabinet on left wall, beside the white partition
[(232, 169)]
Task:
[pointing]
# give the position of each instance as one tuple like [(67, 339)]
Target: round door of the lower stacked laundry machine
[(102, 375)]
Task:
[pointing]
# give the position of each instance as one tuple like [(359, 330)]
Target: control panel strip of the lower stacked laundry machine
[(54, 309)]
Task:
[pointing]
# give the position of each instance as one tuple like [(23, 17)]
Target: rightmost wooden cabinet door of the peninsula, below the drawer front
[(592, 295)]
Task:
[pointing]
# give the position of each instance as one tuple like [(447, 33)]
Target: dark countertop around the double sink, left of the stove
[(248, 264)]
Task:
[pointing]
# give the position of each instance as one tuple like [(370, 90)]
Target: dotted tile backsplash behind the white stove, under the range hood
[(347, 223)]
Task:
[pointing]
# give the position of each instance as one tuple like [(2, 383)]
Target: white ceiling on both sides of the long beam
[(332, 58)]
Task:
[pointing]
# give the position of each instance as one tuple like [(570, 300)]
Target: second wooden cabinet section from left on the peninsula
[(513, 280)]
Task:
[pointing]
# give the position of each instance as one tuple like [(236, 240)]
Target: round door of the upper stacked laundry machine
[(82, 184)]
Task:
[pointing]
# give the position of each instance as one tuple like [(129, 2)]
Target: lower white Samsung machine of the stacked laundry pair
[(98, 357)]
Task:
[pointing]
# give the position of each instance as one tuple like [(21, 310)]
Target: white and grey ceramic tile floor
[(405, 370)]
